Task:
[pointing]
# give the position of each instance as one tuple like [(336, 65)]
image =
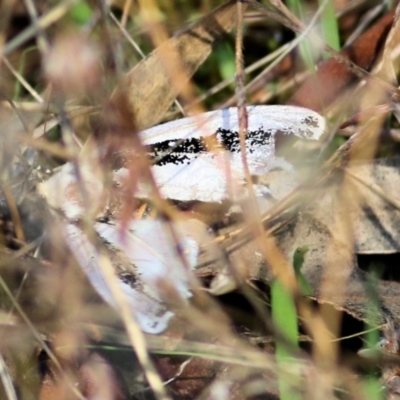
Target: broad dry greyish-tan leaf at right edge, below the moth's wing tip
[(375, 230)]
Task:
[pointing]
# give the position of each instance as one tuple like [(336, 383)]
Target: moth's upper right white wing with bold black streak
[(199, 158)]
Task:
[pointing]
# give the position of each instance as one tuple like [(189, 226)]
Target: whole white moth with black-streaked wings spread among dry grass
[(186, 168)]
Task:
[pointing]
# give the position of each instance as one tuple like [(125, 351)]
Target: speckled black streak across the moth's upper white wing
[(184, 151)]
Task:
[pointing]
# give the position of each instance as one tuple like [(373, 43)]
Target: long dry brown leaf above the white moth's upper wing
[(154, 83)]
